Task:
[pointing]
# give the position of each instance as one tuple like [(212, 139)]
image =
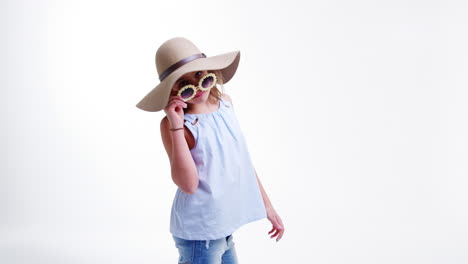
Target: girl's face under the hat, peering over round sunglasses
[(193, 78)]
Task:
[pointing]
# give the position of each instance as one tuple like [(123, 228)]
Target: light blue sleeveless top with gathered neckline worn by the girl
[(228, 194)]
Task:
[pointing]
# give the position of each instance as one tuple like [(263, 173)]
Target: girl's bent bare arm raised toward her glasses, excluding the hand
[(183, 168)]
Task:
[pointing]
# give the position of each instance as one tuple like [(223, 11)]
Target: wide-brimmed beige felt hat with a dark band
[(178, 56)]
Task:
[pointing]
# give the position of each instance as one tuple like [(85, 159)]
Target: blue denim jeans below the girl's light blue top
[(219, 251)]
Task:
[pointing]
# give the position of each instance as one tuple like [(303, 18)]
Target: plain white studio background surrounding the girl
[(355, 114)]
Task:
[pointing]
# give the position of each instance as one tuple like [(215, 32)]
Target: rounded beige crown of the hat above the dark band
[(172, 51)]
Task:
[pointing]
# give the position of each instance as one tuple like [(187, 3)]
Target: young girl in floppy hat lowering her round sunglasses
[(218, 189)]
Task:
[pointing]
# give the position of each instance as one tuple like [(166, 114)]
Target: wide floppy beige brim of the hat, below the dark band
[(158, 97)]
